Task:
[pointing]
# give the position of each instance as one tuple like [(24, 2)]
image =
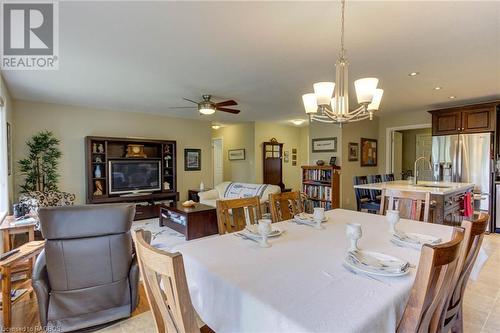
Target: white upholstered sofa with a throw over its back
[(232, 190)]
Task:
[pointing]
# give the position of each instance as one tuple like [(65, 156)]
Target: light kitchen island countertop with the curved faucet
[(438, 188)]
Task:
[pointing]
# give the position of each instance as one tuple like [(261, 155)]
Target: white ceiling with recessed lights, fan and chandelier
[(146, 56)]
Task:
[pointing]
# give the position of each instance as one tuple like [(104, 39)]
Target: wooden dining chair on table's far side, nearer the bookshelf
[(284, 206)]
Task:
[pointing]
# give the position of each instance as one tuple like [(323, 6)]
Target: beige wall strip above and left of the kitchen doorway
[(394, 120)]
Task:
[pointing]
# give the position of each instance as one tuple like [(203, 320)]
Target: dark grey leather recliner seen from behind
[(87, 274)]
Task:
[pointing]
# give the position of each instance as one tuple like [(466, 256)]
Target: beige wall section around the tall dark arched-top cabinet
[(290, 137)]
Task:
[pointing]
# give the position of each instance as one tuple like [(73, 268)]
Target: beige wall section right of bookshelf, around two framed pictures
[(353, 132)]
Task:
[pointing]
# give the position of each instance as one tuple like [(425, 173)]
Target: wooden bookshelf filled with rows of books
[(321, 185)]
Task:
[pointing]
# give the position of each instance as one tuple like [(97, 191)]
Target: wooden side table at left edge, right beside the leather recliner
[(27, 251)]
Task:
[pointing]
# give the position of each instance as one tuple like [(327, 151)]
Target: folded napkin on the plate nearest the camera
[(377, 265)]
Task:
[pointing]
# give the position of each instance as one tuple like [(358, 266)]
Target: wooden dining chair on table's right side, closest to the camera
[(432, 285)]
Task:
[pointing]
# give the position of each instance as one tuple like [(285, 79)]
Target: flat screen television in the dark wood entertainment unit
[(134, 176)]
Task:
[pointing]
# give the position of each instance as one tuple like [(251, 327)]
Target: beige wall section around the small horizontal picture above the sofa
[(238, 136)]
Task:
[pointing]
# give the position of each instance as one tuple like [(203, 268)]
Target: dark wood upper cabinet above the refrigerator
[(476, 118)]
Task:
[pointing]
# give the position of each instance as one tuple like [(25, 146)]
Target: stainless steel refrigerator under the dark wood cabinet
[(466, 158)]
